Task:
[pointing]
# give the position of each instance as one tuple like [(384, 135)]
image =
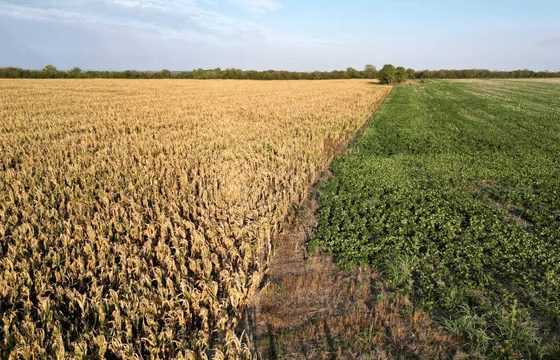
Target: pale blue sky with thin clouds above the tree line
[(280, 34)]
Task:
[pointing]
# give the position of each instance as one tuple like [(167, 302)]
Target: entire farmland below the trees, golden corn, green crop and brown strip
[(138, 219)]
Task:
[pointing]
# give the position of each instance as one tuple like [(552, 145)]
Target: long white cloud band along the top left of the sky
[(182, 20)]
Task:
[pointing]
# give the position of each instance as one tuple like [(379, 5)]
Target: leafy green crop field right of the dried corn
[(453, 191)]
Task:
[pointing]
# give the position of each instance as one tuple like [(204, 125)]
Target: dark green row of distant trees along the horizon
[(389, 74)]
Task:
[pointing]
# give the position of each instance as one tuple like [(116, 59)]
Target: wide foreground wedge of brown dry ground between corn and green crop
[(309, 309)]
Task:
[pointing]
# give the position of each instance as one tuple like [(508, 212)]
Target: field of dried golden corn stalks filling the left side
[(135, 216)]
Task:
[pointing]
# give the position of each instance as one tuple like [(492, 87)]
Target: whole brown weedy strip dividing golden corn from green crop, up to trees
[(305, 301)]
